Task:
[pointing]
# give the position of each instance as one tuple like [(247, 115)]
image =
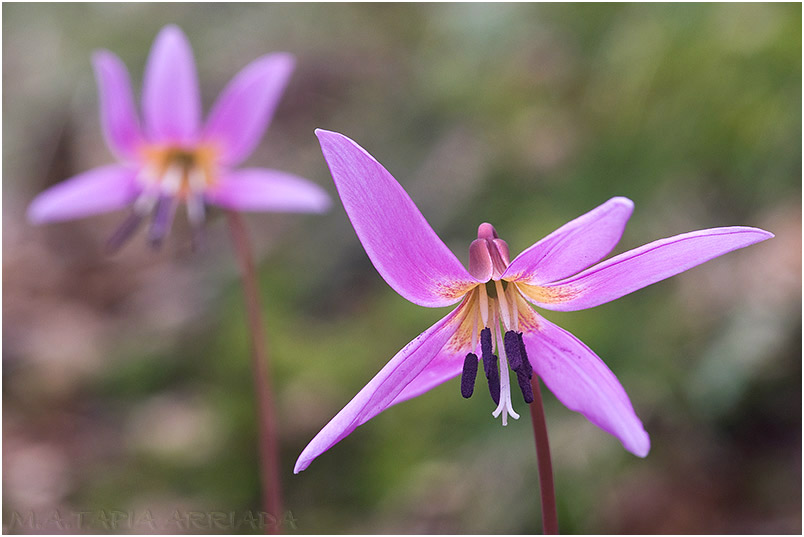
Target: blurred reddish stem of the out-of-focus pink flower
[(266, 418)]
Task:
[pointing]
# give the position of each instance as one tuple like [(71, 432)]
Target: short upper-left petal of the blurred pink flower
[(118, 115)]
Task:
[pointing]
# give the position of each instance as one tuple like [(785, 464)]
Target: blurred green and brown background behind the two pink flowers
[(126, 379)]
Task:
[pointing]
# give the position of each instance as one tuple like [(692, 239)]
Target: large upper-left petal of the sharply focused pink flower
[(400, 243)]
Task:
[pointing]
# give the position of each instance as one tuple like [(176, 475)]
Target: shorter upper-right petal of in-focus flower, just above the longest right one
[(574, 246)]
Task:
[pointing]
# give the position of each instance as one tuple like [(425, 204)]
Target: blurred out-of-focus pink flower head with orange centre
[(173, 158)]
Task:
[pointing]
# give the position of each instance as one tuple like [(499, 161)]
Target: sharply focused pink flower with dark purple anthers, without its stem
[(495, 296)]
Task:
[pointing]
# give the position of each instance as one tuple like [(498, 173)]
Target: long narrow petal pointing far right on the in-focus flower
[(633, 270)]
